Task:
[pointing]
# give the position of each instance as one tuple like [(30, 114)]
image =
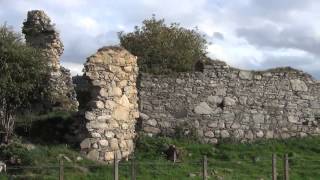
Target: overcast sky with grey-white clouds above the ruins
[(249, 34)]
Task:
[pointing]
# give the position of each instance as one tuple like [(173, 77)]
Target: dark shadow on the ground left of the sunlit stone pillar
[(49, 129)]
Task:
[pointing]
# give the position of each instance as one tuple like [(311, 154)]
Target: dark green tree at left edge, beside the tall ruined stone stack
[(22, 69)]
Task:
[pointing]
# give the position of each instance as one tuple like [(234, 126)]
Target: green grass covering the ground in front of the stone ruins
[(227, 160)]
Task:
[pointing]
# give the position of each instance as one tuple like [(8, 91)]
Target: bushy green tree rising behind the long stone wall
[(162, 49)]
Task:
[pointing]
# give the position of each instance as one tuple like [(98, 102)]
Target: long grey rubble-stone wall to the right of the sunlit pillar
[(224, 102)]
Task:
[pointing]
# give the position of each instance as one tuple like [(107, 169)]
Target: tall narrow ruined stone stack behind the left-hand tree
[(41, 34)]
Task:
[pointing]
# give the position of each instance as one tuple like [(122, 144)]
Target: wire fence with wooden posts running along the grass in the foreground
[(204, 168)]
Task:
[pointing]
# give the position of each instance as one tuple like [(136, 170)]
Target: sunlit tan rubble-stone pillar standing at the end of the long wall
[(112, 111)]
